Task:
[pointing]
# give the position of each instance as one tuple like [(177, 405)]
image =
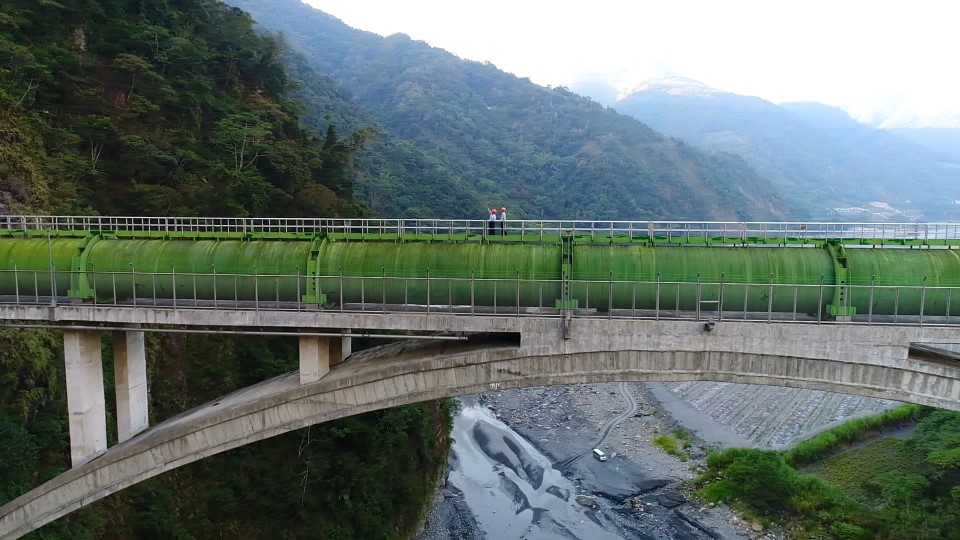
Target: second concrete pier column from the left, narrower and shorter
[(130, 373)]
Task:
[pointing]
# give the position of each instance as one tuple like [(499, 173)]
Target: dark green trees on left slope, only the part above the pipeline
[(178, 108)]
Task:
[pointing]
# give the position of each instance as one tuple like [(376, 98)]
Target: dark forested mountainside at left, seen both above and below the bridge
[(179, 107)]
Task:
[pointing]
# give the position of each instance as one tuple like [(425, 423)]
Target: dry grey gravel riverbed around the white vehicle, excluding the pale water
[(641, 490)]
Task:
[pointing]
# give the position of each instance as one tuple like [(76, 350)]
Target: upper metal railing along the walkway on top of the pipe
[(669, 231)]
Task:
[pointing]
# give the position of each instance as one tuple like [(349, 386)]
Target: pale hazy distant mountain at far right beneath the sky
[(814, 152)]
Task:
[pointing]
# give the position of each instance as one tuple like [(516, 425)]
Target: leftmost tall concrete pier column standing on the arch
[(86, 405)]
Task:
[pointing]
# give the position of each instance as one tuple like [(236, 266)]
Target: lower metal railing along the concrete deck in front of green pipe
[(515, 296)]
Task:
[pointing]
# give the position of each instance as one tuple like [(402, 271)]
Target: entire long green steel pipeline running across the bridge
[(880, 281)]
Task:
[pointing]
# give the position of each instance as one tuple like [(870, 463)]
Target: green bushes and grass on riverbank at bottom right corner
[(887, 489)]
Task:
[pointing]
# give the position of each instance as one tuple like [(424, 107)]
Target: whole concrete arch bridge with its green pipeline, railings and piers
[(718, 315)]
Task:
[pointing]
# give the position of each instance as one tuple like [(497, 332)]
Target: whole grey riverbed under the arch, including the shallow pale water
[(521, 465)]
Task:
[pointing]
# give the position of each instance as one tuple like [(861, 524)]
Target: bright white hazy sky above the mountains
[(865, 56)]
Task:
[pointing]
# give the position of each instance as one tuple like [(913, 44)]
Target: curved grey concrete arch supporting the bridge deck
[(848, 359)]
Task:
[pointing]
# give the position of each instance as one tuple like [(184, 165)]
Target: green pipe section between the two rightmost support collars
[(673, 276)]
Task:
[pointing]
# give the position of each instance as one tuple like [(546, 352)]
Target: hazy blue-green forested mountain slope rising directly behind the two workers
[(543, 153)]
